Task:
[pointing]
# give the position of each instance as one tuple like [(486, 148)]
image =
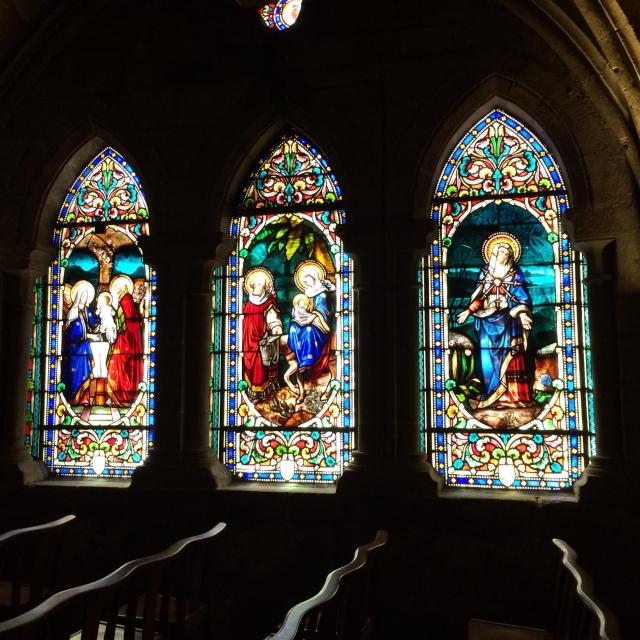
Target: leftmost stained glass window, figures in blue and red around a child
[(96, 347)]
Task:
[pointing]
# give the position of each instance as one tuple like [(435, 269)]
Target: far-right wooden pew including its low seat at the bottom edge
[(576, 614)]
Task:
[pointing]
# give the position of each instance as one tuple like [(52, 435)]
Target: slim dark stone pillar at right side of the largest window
[(607, 466)]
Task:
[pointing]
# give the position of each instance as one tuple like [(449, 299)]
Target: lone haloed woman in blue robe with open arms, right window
[(502, 311)]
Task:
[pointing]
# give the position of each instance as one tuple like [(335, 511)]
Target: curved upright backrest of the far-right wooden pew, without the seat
[(580, 615)]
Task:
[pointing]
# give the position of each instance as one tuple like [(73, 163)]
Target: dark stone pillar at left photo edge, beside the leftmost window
[(17, 467)]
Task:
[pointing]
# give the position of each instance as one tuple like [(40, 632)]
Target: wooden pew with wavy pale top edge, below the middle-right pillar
[(341, 609)]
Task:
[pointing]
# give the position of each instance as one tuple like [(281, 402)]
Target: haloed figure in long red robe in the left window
[(126, 369)]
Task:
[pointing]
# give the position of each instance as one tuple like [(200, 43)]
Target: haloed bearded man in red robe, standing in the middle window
[(261, 318)]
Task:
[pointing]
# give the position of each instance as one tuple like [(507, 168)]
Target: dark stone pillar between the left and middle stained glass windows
[(182, 457)]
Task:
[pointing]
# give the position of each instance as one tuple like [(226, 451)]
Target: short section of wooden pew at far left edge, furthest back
[(29, 564)]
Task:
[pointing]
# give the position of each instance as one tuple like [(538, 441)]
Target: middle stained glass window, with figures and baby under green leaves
[(282, 344)]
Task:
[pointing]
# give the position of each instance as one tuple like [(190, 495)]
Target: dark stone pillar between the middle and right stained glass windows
[(388, 459)]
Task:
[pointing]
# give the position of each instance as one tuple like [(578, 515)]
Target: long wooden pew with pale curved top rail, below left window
[(158, 594)]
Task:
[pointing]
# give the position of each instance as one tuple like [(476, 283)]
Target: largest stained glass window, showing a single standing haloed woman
[(505, 360)]
